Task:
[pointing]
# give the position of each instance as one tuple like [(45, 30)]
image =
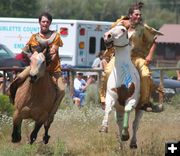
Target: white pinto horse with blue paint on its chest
[(123, 86)]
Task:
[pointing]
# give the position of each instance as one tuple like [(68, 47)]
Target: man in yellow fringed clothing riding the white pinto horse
[(142, 39)]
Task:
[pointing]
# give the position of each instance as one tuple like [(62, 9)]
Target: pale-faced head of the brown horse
[(37, 65)]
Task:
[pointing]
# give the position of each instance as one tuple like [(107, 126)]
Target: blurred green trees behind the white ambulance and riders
[(155, 12)]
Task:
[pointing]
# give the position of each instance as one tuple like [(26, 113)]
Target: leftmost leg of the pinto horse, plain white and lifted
[(110, 102)]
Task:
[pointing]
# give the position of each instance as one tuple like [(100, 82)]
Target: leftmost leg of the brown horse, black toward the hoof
[(16, 133)]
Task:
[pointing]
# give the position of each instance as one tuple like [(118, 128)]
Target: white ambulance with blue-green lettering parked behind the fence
[(82, 39)]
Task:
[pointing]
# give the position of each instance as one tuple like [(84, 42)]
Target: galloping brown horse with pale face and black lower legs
[(35, 99)]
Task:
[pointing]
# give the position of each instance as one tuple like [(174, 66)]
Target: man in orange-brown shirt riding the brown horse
[(45, 38)]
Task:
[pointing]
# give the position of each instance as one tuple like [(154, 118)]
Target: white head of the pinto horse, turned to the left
[(116, 36)]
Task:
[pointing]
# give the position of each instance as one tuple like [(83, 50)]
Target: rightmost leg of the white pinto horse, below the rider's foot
[(135, 125)]
